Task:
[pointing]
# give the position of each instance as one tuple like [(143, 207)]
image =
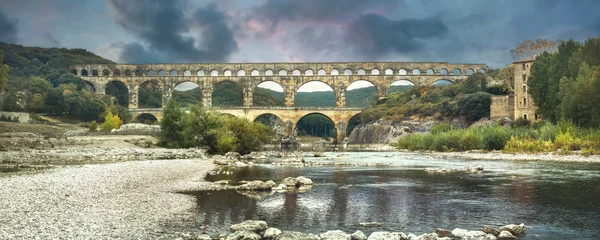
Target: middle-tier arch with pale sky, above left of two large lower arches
[(268, 93)]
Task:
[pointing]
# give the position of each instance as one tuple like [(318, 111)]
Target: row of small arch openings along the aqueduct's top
[(309, 72)]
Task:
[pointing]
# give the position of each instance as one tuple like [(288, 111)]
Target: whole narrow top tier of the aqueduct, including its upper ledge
[(279, 69)]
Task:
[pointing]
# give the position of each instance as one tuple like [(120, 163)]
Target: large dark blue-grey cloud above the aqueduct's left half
[(164, 26)]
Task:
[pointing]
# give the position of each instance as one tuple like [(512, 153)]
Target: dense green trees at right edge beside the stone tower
[(566, 84)]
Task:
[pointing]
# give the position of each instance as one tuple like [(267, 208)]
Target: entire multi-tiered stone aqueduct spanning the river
[(290, 76)]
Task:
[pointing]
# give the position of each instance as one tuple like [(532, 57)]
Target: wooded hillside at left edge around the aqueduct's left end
[(38, 81)]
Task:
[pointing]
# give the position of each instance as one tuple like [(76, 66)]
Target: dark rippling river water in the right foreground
[(559, 200)]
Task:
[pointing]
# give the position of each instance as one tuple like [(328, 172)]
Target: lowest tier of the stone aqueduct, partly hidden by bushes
[(289, 116)]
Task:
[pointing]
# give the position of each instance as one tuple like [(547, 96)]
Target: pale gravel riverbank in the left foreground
[(125, 200)]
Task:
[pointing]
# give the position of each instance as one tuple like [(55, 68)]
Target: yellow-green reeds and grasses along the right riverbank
[(541, 137)]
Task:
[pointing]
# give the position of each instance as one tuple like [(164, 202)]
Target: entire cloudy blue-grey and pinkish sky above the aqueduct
[(149, 31)]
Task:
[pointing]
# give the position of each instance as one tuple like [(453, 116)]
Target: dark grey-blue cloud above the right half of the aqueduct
[(375, 35)]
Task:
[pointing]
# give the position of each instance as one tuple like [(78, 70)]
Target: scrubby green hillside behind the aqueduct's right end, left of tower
[(466, 99)]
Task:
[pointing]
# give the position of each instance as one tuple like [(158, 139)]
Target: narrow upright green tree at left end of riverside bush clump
[(171, 126)]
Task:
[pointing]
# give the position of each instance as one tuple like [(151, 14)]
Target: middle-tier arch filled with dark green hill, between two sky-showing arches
[(227, 93)]
